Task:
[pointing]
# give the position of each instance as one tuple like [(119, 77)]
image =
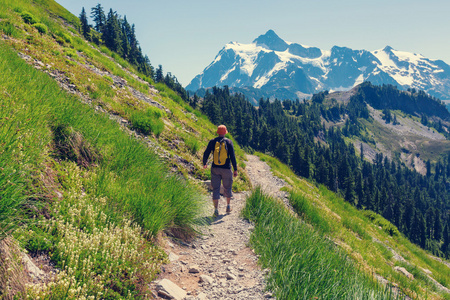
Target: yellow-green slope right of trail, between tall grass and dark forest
[(355, 232)]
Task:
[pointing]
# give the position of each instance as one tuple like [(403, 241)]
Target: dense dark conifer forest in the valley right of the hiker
[(293, 132)]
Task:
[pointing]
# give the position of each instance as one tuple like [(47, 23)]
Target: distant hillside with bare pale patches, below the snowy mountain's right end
[(408, 125)]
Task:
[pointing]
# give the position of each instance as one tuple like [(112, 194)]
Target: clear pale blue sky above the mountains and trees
[(185, 36)]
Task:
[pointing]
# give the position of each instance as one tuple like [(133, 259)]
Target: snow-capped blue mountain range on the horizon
[(288, 70)]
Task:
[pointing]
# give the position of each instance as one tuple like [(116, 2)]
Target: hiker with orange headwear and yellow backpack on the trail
[(223, 152)]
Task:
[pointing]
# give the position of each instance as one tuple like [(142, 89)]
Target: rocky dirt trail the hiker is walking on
[(220, 265)]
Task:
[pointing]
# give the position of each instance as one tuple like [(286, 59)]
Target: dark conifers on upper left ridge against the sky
[(119, 36)]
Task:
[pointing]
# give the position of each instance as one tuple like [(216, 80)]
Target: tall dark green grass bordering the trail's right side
[(303, 263)]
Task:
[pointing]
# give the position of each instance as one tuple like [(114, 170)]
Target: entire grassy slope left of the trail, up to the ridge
[(99, 196)]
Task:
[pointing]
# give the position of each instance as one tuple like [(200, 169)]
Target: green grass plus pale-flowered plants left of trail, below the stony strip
[(129, 195)]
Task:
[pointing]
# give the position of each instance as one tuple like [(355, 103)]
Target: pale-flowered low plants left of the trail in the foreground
[(98, 256)]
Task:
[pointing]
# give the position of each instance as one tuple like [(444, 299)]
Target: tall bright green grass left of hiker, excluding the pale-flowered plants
[(129, 175)]
